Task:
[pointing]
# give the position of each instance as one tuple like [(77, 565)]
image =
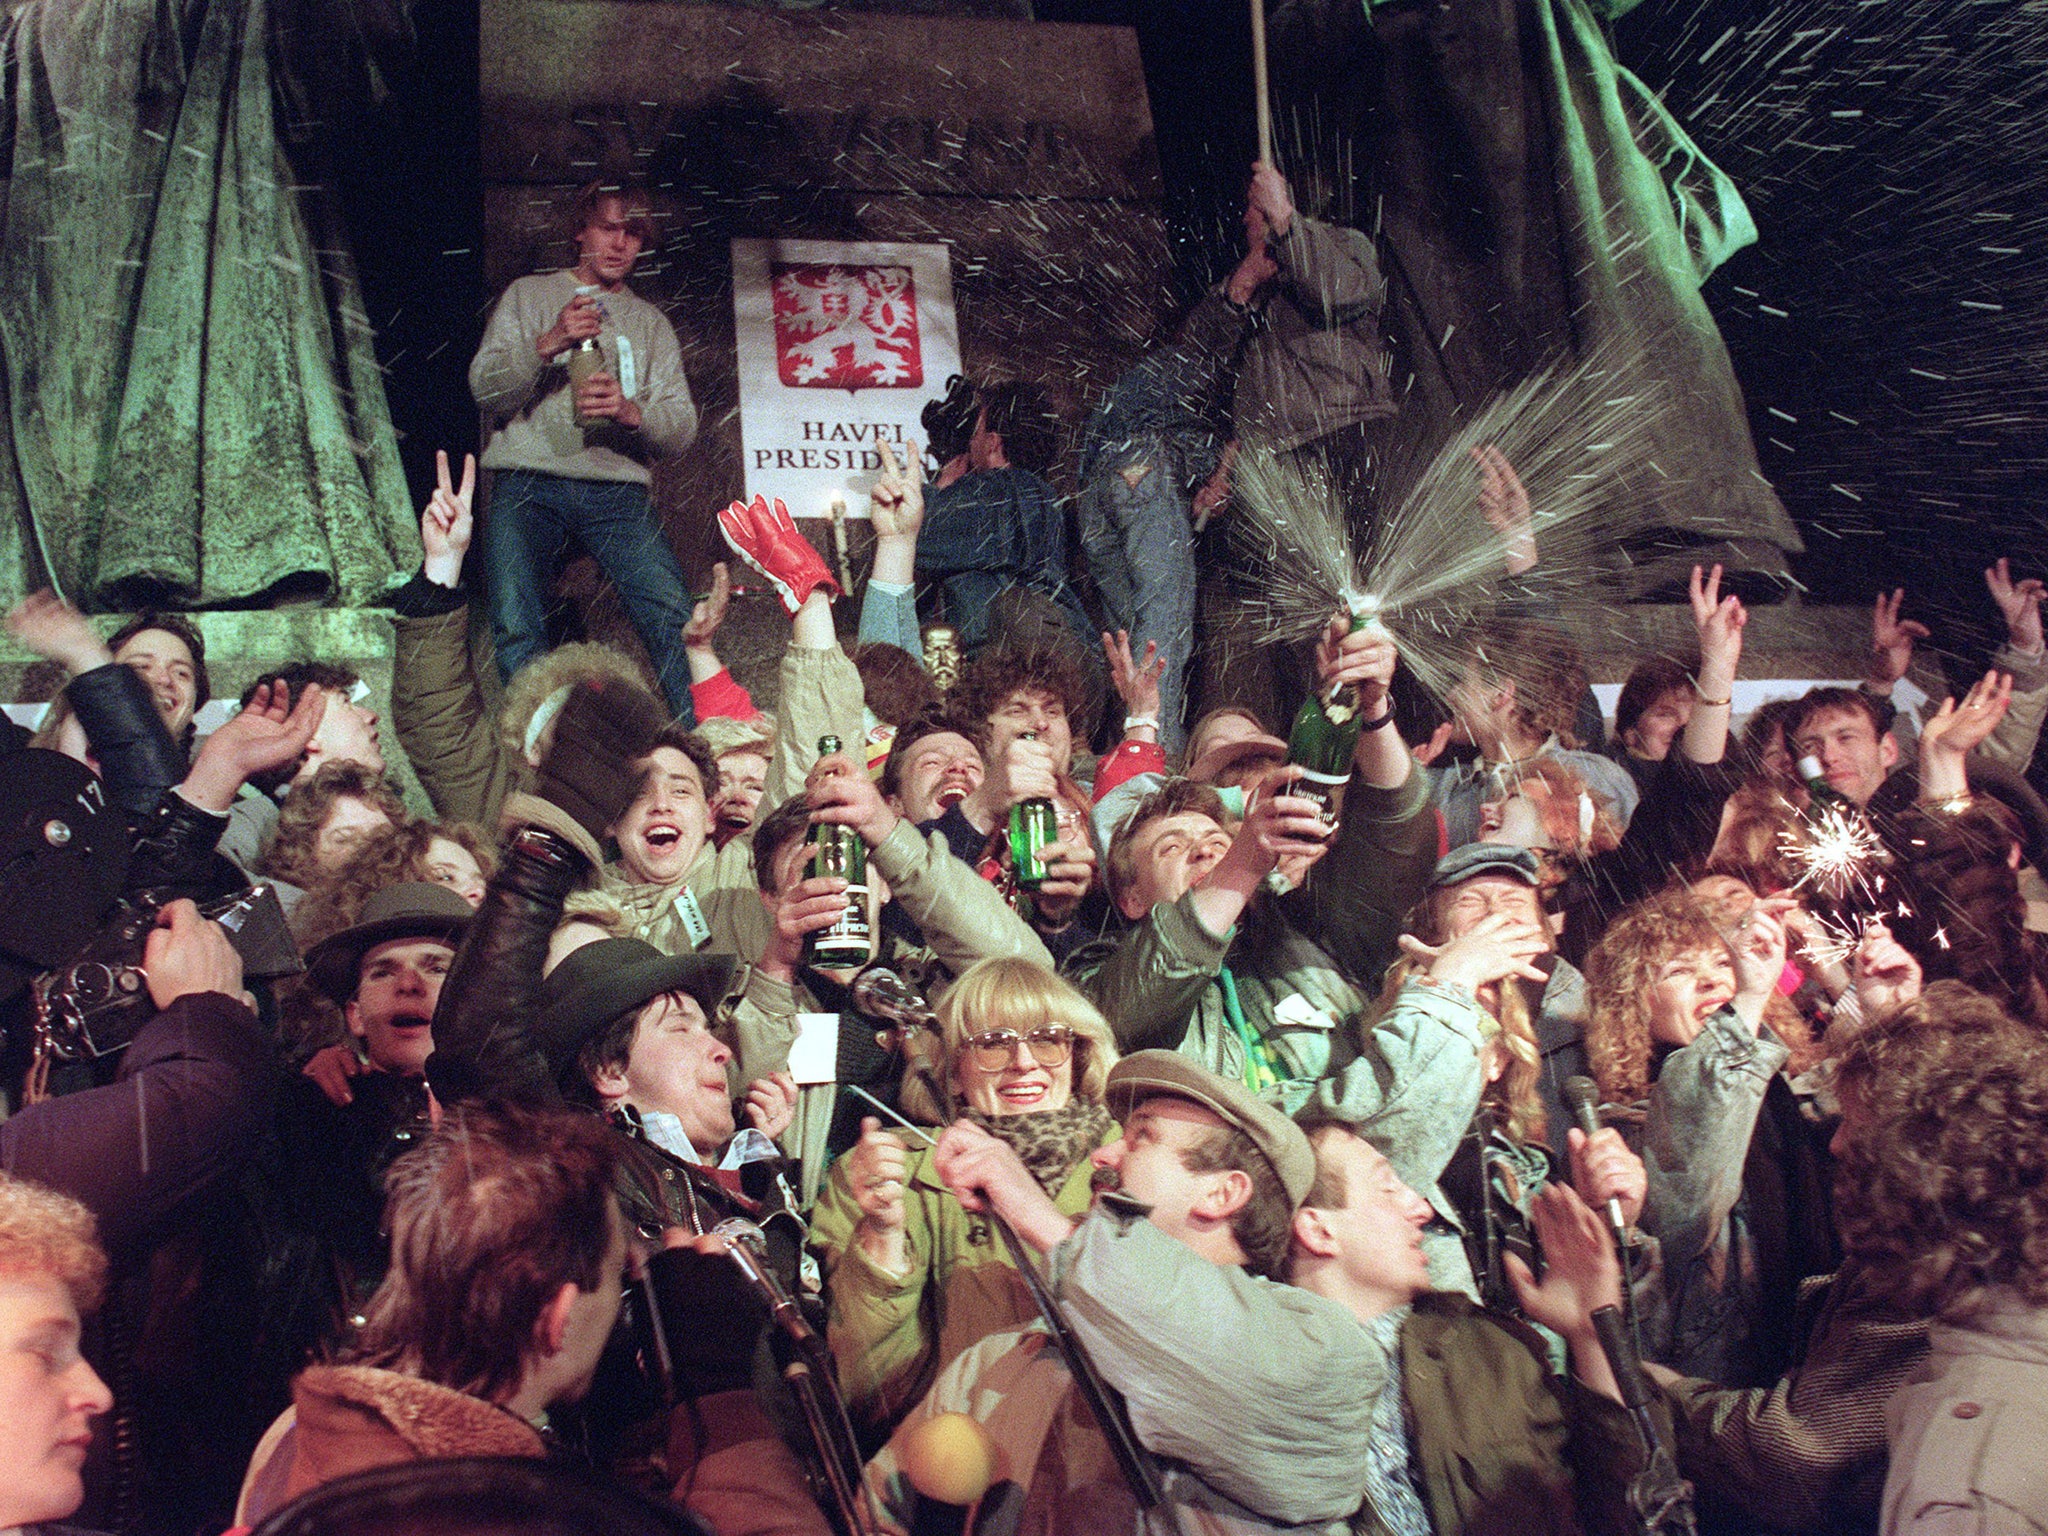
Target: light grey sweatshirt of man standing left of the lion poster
[(531, 404)]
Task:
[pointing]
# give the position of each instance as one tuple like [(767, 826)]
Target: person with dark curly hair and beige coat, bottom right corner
[(1945, 1203)]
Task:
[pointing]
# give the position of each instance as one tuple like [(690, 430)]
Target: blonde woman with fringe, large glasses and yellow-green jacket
[(914, 1279)]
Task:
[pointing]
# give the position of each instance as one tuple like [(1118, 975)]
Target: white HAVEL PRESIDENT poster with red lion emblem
[(841, 347)]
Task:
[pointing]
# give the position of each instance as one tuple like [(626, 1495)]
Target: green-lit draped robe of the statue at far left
[(191, 400)]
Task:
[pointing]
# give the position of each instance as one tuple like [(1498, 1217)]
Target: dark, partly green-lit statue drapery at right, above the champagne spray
[(1535, 202)]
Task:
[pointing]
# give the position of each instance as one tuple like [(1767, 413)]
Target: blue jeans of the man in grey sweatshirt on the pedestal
[(527, 534)]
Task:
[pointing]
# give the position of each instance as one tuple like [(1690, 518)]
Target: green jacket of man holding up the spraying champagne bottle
[(1162, 982)]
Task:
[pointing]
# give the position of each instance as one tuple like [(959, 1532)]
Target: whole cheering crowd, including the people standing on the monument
[(1220, 1164)]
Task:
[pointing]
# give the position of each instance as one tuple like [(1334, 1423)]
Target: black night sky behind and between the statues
[(1889, 331)]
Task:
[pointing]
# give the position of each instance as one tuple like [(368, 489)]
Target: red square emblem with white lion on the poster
[(847, 327)]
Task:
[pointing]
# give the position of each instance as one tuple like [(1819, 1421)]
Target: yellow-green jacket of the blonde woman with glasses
[(894, 1334)]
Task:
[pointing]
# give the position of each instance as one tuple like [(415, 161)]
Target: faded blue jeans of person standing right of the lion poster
[(1142, 554)]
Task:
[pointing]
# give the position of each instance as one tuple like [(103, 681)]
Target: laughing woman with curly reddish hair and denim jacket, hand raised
[(1691, 1039)]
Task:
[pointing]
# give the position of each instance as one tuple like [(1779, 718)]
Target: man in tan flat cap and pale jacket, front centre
[(1170, 1285)]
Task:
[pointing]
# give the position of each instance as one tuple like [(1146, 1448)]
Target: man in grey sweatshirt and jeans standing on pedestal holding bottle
[(585, 384)]
